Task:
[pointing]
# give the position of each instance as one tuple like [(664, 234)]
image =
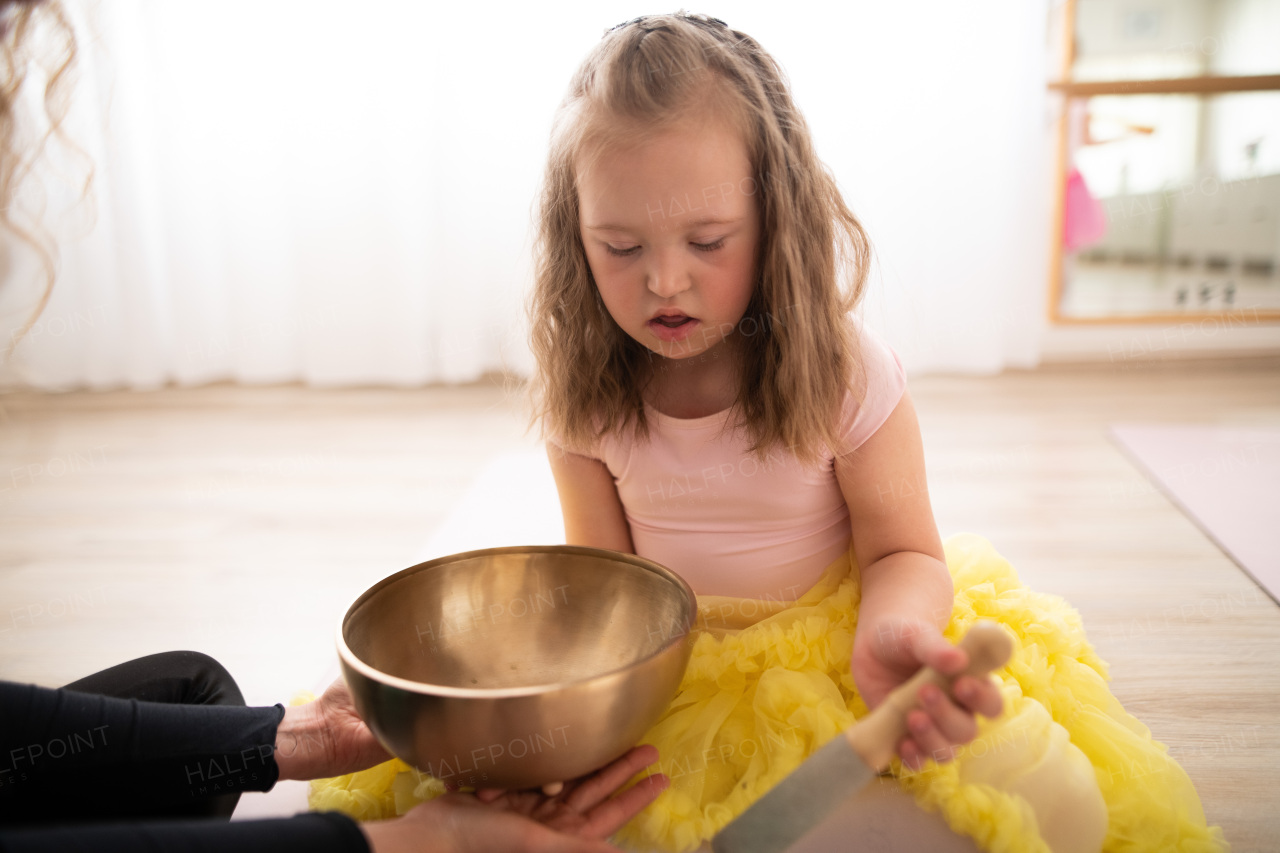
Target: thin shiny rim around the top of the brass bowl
[(427, 688)]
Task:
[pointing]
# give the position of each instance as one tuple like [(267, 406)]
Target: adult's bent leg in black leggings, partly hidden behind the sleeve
[(175, 678)]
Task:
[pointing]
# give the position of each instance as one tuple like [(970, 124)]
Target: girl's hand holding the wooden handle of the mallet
[(889, 654)]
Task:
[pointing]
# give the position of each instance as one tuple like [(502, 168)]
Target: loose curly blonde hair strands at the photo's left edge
[(22, 25)]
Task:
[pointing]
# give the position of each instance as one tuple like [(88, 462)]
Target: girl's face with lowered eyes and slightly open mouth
[(671, 229)]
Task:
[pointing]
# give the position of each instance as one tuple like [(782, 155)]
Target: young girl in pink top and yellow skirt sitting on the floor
[(711, 404)]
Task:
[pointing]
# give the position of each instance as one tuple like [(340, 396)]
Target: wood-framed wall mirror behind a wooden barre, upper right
[(1171, 195)]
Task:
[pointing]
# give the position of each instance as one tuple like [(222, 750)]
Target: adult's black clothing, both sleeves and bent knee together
[(149, 755)]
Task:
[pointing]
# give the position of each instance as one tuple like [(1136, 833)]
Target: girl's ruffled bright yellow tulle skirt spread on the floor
[(769, 683)]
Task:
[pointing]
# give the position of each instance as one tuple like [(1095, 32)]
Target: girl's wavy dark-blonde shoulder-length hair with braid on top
[(644, 77)]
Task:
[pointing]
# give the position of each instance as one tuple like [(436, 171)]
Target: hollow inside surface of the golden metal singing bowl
[(516, 618)]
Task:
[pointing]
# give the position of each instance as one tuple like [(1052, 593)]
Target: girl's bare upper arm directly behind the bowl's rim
[(589, 500)]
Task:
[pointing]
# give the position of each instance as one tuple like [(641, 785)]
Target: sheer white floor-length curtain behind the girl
[(344, 194)]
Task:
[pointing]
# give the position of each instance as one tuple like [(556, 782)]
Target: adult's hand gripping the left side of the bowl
[(326, 738)]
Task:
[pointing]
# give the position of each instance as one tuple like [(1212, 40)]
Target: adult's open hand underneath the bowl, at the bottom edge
[(578, 820)]
